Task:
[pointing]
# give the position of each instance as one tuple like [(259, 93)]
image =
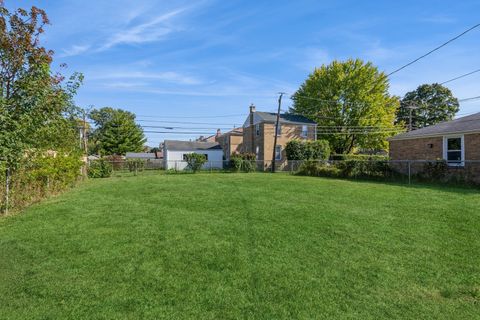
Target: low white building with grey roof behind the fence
[(174, 152)]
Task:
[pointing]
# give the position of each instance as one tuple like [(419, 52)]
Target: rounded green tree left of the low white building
[(116, 132)]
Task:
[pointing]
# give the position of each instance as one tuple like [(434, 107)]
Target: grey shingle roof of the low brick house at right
[(468, 124)]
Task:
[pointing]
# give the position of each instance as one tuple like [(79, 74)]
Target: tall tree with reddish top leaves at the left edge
[(36, 107)]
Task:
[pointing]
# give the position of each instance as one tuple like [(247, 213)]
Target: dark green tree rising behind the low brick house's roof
[(430, 103)]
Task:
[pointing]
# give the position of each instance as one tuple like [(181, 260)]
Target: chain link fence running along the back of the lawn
[(402, 171)]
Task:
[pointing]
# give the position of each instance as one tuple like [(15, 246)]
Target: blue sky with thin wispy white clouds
[(208, 60)]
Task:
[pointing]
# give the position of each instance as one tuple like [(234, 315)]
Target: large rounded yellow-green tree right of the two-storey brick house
[(350, 102)]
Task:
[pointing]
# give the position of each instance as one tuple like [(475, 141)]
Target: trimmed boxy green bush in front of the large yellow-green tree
[(307, 150)]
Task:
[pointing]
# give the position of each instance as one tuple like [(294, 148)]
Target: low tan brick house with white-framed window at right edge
[(456, 141)]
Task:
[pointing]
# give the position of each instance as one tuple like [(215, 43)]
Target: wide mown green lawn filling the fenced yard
[(243, 246)]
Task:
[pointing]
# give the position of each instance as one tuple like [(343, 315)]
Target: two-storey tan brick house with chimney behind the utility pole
[(259, 128)]
